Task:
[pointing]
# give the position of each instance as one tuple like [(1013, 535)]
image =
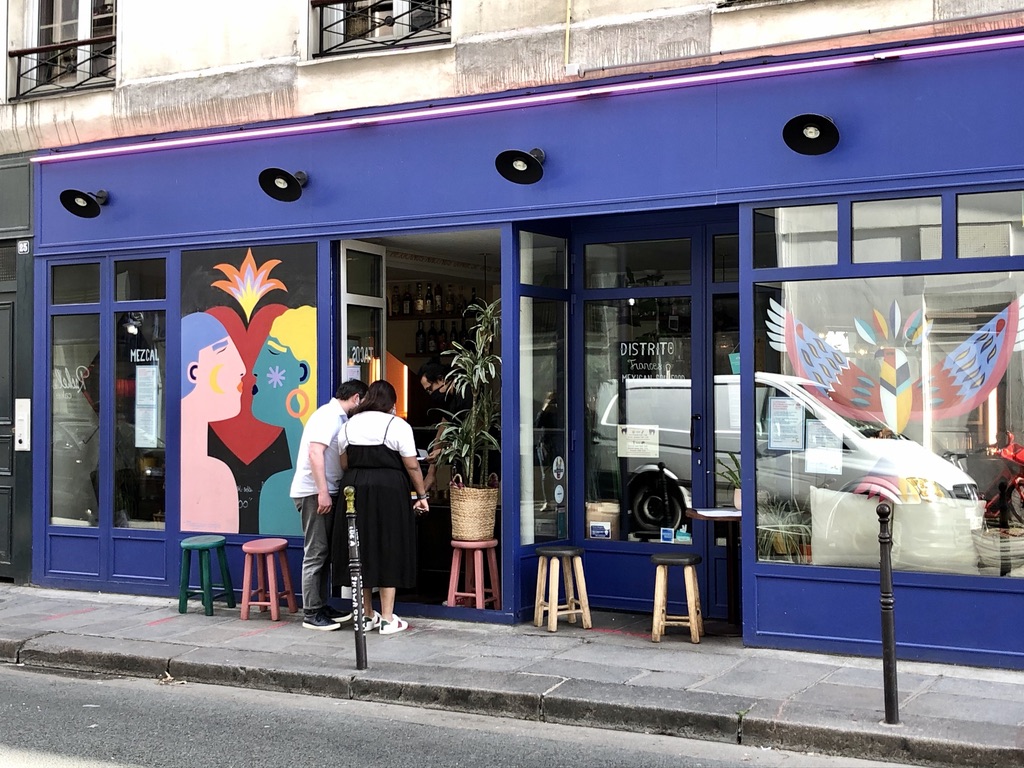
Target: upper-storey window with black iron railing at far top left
[(74, 49)]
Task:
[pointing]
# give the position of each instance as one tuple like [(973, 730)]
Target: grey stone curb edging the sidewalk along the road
[(539, 698)]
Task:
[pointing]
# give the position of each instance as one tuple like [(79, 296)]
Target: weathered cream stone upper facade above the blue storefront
[(87, 71)]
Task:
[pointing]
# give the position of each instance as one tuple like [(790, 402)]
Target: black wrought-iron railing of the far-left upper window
[(72, 66)]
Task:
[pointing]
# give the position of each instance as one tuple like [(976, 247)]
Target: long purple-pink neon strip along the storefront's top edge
[(679, 81)]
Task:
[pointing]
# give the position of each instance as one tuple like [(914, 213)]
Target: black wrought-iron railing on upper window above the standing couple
[(380, 25)]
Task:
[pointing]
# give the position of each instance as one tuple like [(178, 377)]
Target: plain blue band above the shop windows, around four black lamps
[(903, 123)]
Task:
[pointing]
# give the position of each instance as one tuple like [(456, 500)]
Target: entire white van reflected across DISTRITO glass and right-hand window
[(838, 486)]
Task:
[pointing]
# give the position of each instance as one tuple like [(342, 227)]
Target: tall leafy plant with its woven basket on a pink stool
[(468, 438)]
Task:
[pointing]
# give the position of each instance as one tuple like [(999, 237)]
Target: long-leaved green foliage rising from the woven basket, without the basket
[(468, 438)]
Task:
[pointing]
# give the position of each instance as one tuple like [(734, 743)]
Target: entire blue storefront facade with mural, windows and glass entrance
[(664, 280)]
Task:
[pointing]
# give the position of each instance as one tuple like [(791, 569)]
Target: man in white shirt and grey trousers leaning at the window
[(315, 491)]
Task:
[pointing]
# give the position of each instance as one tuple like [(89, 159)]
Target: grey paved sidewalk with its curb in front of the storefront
[(612, 676)]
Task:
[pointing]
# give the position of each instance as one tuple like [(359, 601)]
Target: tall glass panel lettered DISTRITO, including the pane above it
[(642, 425)]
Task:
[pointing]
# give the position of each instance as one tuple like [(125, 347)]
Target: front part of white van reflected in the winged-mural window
[(858, 464)]
